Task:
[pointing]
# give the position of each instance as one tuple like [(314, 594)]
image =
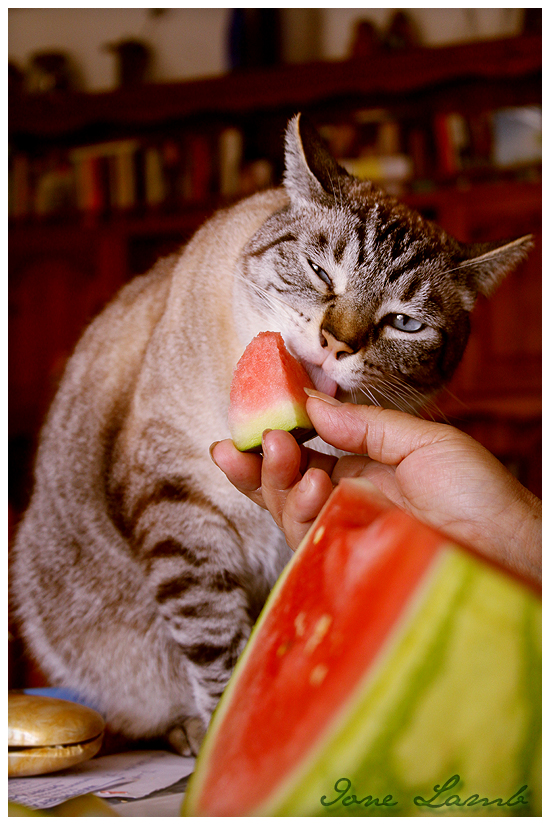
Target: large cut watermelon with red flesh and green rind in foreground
[(390, 673)]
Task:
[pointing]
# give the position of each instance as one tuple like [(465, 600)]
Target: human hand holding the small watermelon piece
[(434, 471)]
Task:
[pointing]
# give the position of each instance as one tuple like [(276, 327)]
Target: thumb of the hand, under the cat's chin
[(386, 436)]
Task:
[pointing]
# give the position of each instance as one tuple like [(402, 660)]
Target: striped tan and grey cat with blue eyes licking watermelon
[(138, 569)]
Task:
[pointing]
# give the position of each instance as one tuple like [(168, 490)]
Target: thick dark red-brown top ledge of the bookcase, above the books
[(283, 87)]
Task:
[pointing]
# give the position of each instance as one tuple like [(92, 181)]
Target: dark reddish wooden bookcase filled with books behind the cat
[(102, 184)]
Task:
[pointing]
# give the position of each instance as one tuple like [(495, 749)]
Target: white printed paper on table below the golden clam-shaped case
[(129, 775)]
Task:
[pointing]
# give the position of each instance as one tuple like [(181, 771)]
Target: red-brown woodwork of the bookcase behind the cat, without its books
[(65, 265)]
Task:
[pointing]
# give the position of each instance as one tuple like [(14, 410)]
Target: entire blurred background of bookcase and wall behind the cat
[(128, 127)]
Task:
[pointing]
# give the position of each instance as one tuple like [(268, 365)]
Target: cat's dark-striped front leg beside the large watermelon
[(194, 563)]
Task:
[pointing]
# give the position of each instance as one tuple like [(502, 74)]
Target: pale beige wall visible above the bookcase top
[(192, 43)]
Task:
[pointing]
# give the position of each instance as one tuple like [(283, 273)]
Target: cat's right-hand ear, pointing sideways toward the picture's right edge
[(488, 264)]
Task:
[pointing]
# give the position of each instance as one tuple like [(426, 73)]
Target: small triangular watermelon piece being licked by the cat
[(267, 392)]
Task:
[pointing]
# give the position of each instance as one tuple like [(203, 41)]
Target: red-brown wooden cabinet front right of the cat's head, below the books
[(496, 393)]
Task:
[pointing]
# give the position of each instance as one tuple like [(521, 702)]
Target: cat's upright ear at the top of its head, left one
[(311, 173)]
